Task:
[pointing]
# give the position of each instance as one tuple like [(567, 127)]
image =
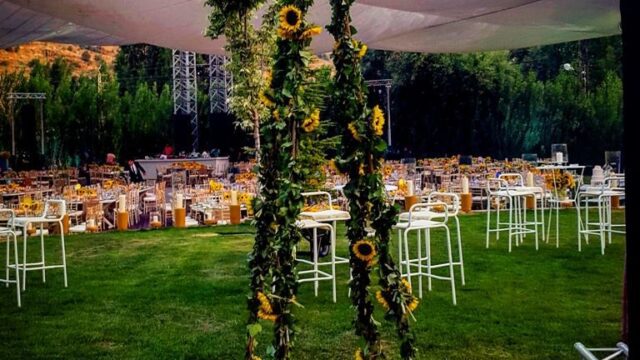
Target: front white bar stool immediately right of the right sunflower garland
[(417, 262)]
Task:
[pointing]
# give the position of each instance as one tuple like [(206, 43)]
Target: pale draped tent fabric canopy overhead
[(434, 26)]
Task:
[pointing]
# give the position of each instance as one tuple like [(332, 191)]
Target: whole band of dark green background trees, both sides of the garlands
[(500, 104)]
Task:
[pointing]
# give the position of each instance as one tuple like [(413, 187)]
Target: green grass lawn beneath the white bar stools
[(171, 294)]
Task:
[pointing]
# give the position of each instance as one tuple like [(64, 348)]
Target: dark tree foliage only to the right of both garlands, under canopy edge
[(506, 103)]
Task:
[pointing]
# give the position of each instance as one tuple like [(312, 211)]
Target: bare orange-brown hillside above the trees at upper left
[(84, 59)]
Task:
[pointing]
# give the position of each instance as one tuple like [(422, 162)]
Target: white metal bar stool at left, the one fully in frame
[(47, 218)]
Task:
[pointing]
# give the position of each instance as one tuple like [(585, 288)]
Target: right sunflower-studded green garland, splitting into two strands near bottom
[(361, 158)]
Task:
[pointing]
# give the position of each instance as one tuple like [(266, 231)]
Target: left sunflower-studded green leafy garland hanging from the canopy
[(294, 115)]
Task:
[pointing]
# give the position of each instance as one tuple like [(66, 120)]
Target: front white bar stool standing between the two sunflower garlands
[(317, 274)]
